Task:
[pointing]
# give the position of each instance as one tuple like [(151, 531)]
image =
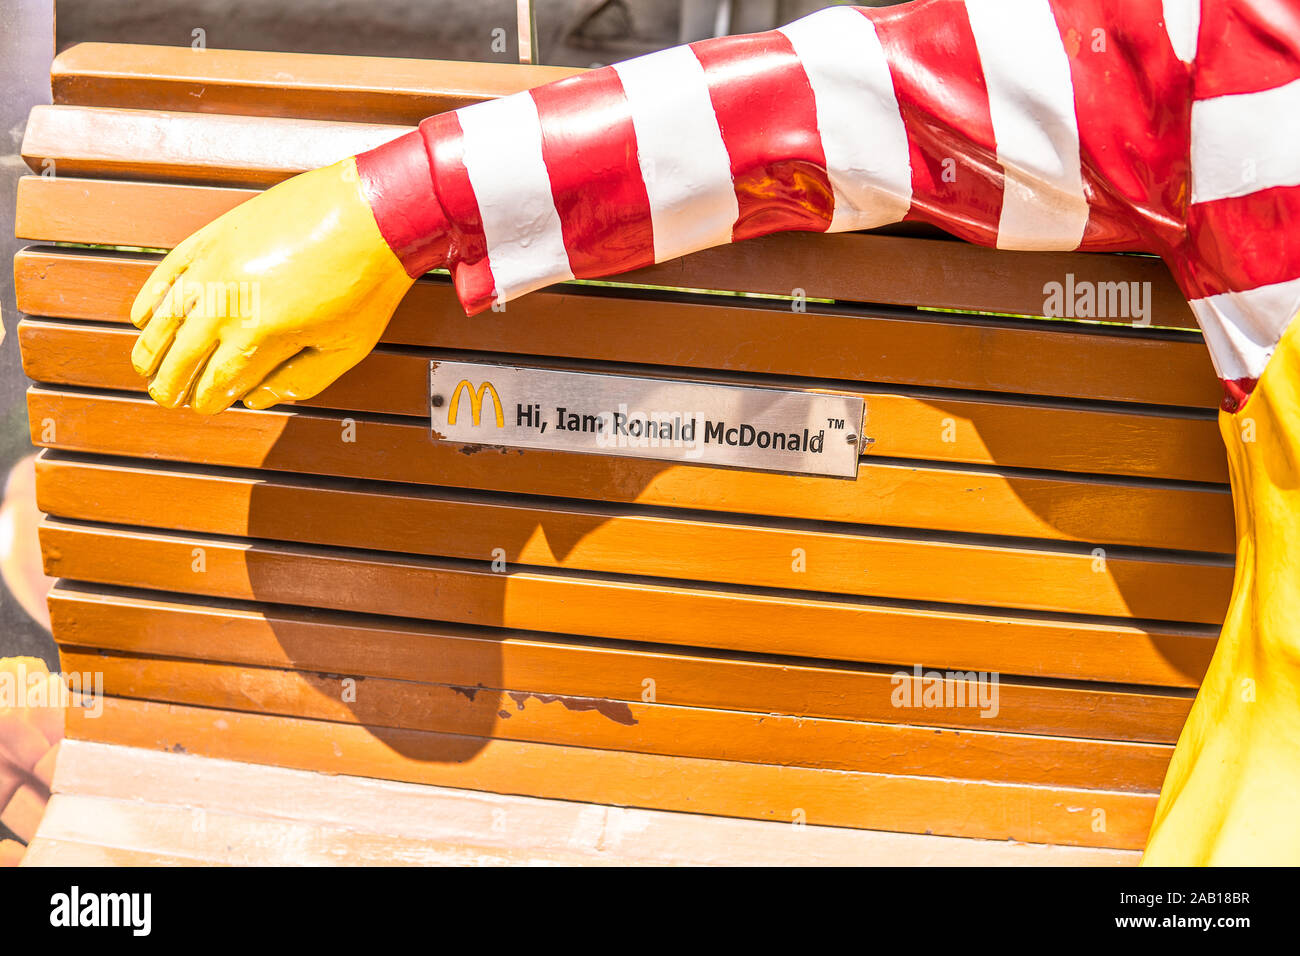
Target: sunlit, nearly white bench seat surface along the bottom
[(144, 802)]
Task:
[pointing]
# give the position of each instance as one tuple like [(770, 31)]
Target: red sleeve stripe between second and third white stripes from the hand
[(768, 118)]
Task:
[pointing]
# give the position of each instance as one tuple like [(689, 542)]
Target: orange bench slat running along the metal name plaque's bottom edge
[(913, 495)]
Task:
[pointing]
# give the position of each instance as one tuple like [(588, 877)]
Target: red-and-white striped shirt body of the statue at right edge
[(1240, 265)]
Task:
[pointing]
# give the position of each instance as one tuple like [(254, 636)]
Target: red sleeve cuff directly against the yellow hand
[(398, 185)]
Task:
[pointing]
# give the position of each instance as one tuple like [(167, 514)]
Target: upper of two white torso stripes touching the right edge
[(1246, 142)]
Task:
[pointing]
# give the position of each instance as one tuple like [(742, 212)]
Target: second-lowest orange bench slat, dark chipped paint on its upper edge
[(541, 716)]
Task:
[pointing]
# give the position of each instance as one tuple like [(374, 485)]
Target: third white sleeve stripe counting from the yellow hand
[(857, 115)]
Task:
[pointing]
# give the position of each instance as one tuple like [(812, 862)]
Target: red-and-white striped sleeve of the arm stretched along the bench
[(1020, 124)]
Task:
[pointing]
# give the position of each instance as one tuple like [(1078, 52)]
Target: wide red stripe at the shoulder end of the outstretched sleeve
[(1133, 105)]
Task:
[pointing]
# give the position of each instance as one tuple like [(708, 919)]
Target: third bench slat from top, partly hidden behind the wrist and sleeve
[(856, 267)]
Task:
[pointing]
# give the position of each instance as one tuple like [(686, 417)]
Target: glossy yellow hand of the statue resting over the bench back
[(272, 301)]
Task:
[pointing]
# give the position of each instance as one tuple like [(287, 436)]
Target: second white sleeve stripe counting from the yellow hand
[(684, 162)]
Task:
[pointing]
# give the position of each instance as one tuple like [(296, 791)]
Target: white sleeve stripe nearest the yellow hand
[(504, 159)]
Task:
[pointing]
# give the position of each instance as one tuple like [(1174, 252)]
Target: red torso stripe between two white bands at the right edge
[(1245, 243)]
